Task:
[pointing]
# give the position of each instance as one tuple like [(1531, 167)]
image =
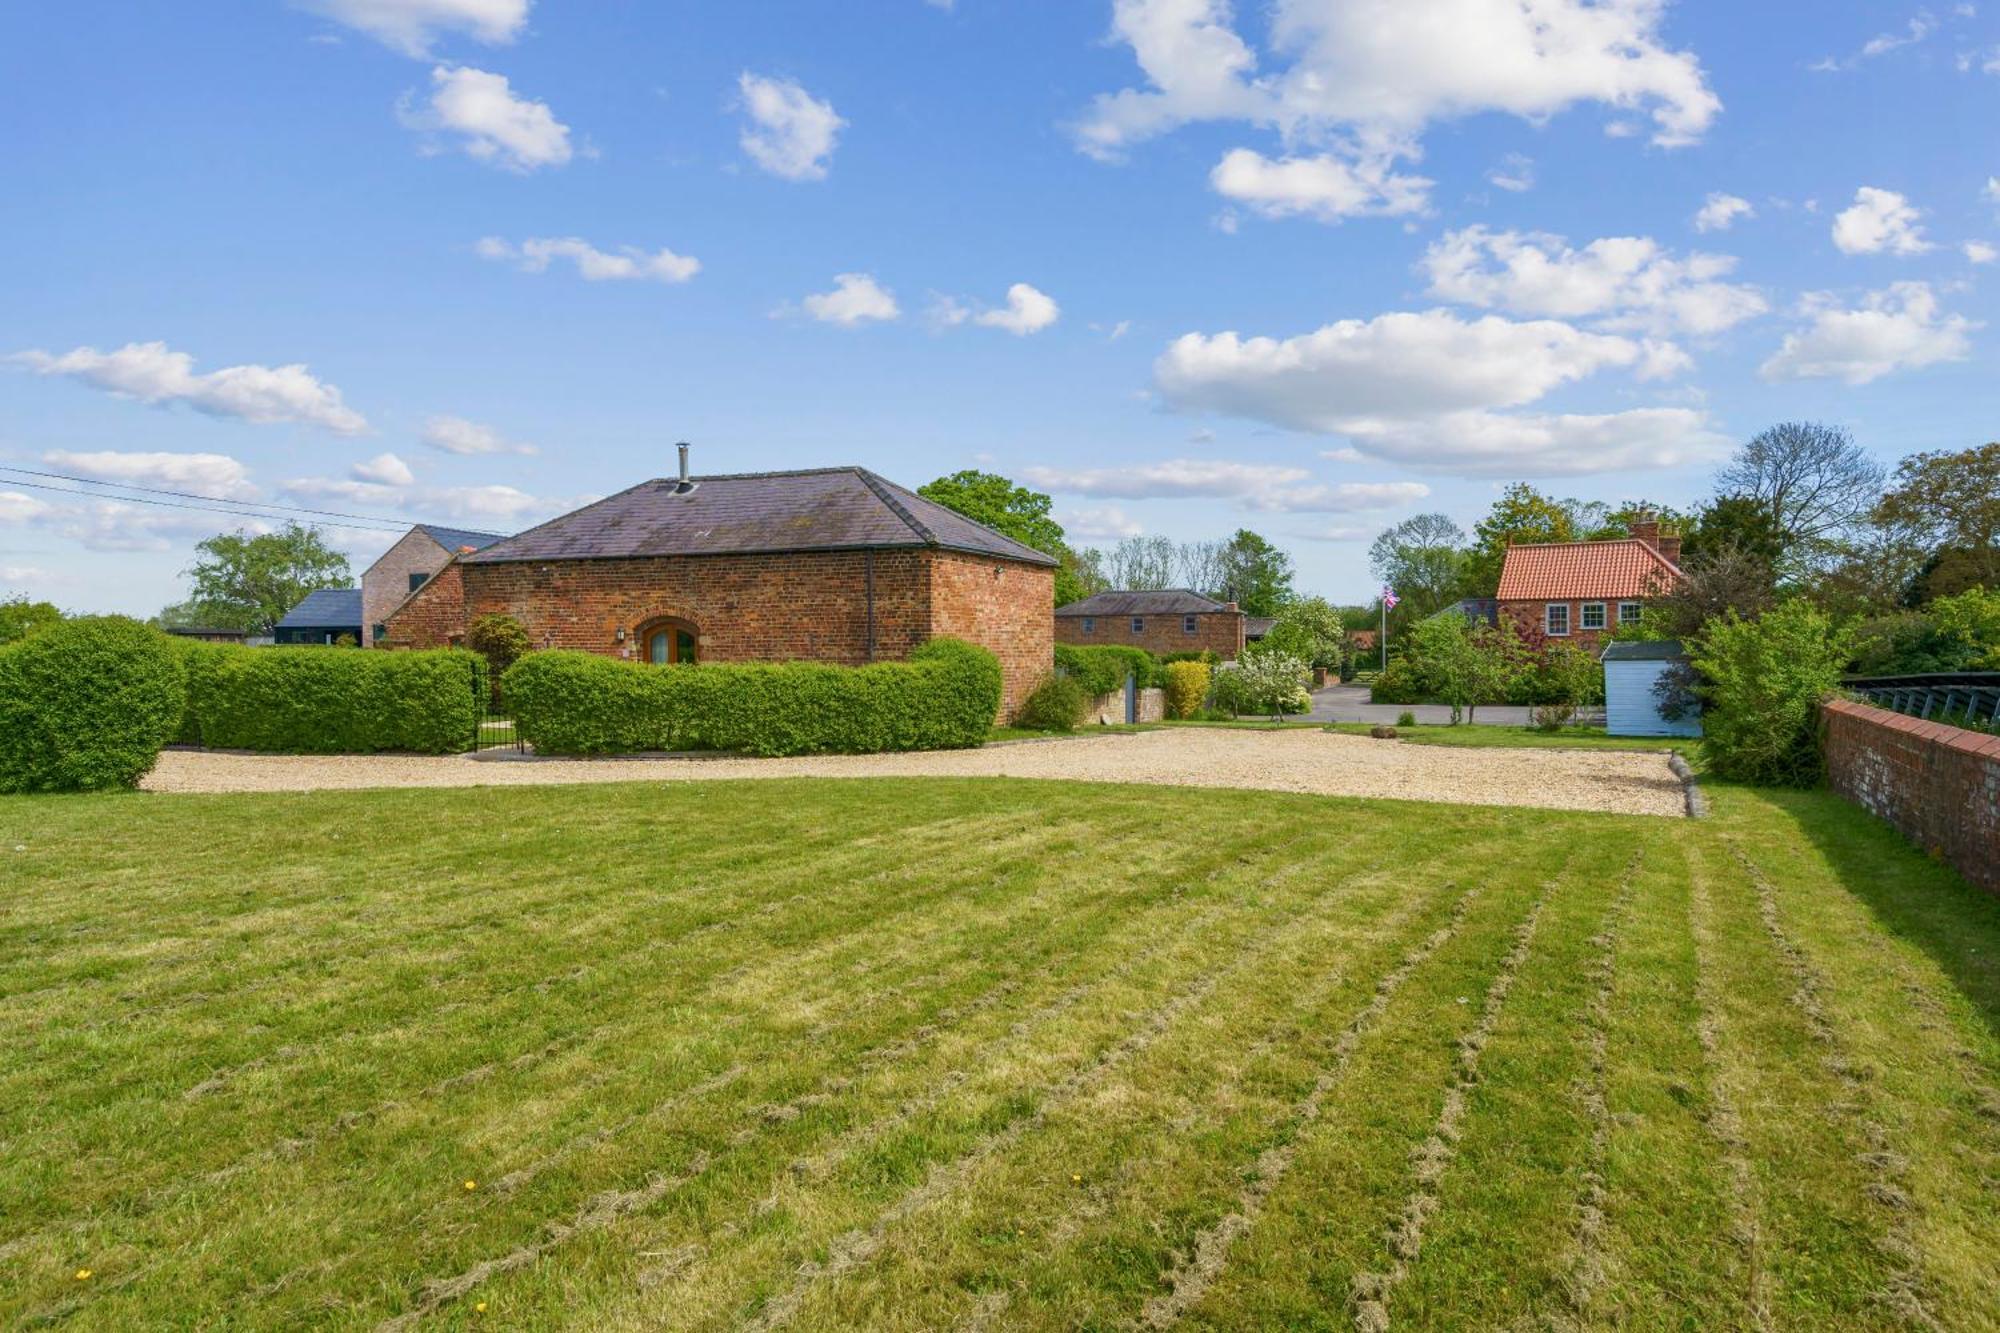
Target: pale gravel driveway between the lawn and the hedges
[(1309, 762)]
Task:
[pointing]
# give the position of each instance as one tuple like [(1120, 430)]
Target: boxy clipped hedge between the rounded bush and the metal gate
[(331, 702)]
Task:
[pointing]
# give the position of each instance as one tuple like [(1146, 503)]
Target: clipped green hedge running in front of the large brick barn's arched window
[(579, 704)]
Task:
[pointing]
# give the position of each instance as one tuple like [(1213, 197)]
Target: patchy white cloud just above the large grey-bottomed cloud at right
[(1629, 283)]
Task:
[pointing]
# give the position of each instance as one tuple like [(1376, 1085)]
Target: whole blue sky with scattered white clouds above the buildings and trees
[(1305, 267)]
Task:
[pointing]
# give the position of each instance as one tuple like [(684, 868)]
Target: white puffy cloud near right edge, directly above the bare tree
[(1895, 329)]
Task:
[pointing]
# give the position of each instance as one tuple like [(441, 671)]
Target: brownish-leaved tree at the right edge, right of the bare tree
[(1949, 507)]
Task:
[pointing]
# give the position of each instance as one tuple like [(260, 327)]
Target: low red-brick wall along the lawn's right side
[(1939, 786)]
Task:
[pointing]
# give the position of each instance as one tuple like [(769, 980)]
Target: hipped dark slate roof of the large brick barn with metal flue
[(755, 513)]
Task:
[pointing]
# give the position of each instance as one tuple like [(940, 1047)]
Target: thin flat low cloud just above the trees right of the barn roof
[(1253, 485)]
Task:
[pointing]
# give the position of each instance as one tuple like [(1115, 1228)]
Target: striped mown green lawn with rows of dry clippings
[(987, 1054)]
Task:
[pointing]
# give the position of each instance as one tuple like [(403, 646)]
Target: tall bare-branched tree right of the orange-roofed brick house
[(1815, 481)]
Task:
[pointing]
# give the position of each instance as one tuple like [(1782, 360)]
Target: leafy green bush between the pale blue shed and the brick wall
[(1765, 682)]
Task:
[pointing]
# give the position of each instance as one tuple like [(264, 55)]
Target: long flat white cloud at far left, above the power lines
[(153, 373)]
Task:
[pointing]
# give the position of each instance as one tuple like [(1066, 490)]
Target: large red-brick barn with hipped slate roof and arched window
[(829, 565)]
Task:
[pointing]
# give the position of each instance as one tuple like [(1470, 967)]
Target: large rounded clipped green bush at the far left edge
[(87, 706)]
